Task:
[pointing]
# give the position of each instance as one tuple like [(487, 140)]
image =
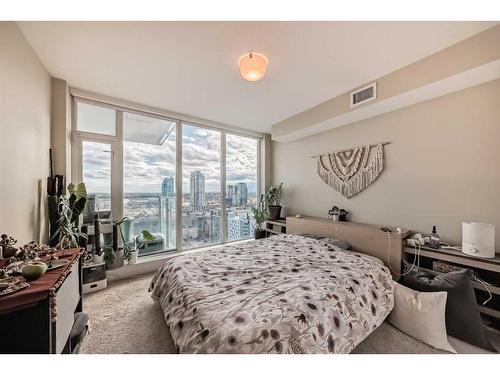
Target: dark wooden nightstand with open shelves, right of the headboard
[(488, 269)]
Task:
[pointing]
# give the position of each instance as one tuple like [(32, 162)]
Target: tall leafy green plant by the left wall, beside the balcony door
[(69, 210)]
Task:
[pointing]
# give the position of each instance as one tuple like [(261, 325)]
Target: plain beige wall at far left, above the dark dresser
[(24, 137)]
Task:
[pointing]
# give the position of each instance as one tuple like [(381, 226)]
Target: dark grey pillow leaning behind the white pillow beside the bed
[(463, 320)]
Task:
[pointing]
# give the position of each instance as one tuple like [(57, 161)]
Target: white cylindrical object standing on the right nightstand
[(478, 239)]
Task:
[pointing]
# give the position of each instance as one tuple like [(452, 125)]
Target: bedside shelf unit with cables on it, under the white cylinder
[(484, 274)]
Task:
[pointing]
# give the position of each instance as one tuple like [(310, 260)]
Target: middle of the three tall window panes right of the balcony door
[(201, 203)]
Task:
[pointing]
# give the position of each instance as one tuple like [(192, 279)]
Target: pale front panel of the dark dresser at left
[(67, 298)]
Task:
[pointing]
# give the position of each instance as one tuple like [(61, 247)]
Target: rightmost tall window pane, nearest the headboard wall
[(241, 186)]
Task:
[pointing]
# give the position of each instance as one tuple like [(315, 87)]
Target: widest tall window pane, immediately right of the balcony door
[(149, 180)]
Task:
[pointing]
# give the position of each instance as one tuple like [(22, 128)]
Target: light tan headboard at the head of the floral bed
[(364, 238)]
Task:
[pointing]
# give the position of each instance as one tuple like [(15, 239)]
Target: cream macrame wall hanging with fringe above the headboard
[(352, 170)]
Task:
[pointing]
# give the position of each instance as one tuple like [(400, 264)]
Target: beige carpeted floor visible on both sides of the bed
[(124, 319)]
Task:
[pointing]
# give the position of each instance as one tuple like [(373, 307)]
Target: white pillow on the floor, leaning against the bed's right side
[(421, 315)]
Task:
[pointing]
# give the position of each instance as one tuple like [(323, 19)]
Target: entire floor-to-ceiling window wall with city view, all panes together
[(130, 163)]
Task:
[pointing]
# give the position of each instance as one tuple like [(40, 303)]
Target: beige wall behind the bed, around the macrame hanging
[(442, 167)]
